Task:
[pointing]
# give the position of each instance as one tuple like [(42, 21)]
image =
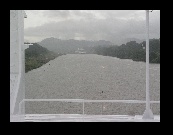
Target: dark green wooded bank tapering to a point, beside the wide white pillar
[(36, 56)]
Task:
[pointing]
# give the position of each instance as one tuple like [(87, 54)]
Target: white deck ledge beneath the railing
[(80, 118)]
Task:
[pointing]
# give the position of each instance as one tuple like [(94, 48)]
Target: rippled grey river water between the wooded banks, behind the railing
[(90, 76)]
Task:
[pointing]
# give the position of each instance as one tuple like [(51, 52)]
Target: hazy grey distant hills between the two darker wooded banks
[(71, 45)]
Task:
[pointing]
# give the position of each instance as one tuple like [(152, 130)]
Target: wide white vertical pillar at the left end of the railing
[(17, 64)]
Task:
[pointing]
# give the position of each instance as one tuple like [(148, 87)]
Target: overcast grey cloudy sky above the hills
[(111, 25)]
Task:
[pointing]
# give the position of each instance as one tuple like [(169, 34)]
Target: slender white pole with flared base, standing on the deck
[(148, 112)]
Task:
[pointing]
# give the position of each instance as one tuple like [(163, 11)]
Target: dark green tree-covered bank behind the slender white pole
[(132, 50)]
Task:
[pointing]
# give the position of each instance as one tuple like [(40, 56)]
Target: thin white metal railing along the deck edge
[(83, 101)]
